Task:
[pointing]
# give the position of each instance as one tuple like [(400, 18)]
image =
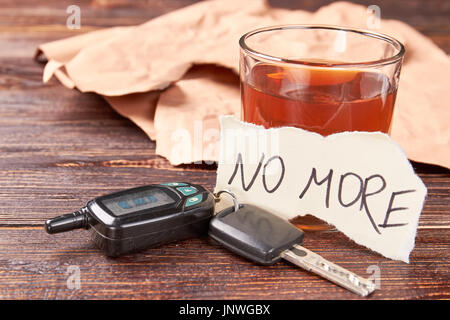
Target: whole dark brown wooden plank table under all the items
[(60, 148)]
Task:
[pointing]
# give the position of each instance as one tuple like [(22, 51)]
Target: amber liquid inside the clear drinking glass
[(321, 100)]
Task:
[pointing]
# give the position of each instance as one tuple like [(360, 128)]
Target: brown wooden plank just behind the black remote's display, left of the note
[(34, 195)]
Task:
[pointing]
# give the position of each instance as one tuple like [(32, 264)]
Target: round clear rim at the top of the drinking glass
[(372, 63)]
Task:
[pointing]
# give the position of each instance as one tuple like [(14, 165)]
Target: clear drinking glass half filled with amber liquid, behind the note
[(324, 79)]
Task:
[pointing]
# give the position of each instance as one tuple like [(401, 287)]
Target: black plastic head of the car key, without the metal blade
[(254, 233)]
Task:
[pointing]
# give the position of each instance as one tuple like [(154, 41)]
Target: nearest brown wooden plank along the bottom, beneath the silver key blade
[(34, 265)]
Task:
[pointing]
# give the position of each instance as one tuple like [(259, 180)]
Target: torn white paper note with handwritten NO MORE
[(361, 182)]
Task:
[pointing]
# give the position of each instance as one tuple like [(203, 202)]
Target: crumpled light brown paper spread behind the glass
[(145, 73)]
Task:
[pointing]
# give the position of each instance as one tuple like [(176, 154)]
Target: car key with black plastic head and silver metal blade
[(265, 238)]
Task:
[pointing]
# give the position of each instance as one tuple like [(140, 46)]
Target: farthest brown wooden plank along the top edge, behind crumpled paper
[(429, 17)]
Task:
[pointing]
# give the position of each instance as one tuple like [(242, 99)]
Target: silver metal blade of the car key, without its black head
[(311, 261)]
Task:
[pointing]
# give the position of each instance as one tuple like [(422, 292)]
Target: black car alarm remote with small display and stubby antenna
[(135, 219)]
